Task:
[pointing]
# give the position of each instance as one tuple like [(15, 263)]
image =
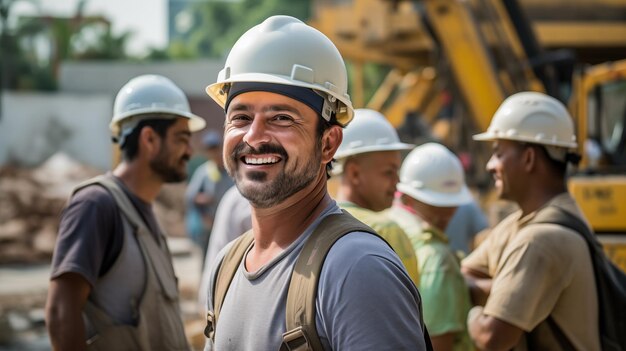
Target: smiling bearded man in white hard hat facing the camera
[(284, 92)]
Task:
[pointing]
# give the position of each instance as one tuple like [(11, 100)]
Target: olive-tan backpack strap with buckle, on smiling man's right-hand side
[(300, 313)]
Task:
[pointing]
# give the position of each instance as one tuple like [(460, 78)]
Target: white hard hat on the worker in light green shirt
[(433, 175)]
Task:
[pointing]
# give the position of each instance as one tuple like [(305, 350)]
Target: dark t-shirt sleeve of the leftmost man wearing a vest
[(89, 237)]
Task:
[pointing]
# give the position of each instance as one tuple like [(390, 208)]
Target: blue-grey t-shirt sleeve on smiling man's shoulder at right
[(366, 300)]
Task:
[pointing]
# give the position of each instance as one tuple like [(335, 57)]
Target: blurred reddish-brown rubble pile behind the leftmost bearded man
[(31, 201)]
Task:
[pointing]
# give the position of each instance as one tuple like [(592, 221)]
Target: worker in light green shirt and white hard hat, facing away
[(431, 187)]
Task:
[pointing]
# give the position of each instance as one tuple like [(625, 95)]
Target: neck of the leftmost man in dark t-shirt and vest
[(139, 180)]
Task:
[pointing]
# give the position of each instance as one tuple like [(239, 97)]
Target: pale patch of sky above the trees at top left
[(147, 19)]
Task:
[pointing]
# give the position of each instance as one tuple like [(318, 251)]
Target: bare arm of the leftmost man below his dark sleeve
[(66, 297)]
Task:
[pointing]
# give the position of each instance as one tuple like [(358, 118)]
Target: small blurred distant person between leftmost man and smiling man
[(205, 190)]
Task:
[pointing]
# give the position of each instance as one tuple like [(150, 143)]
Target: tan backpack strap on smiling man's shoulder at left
[(225, 274)]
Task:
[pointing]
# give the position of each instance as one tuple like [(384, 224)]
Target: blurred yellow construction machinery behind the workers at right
[(450, 64)]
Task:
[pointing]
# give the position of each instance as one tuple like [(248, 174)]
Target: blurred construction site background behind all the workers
[(62, 62)]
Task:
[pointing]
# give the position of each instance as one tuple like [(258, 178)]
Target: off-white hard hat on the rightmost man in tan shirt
[(536, 118)]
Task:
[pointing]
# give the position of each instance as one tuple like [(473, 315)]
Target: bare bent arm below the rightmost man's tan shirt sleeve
[(490, 333)]
